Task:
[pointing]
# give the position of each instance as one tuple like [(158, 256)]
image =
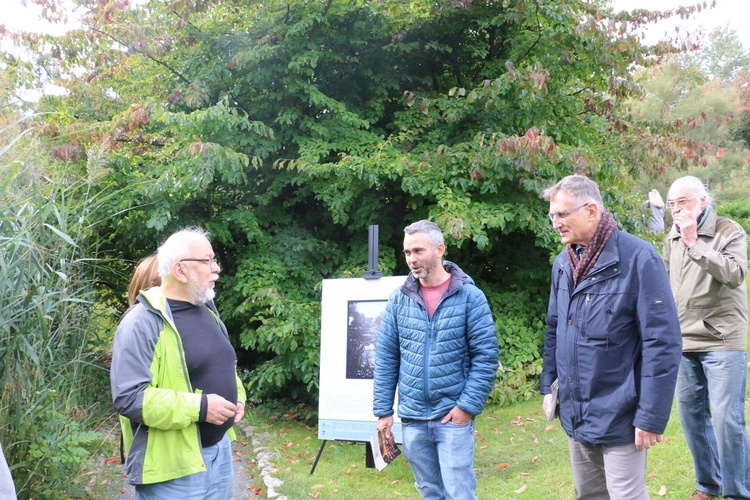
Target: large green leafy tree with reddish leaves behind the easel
[(286, 128)]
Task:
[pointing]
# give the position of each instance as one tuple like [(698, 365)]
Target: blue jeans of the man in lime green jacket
[(217, 483)]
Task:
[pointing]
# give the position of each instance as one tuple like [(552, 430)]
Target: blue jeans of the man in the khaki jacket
[(711, 402)]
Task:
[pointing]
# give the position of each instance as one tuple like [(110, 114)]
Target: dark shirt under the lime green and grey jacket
[(211, 361)]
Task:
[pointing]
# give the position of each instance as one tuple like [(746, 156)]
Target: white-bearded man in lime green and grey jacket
[(173, 377)]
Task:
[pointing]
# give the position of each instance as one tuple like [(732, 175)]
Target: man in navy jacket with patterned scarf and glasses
[(613, 344)]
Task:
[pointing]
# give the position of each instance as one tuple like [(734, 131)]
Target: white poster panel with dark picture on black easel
[(350, 321)]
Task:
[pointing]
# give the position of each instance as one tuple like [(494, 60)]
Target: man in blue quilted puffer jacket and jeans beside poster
[(438, 344)]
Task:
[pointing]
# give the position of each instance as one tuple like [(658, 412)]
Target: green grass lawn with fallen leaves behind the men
[(518, 454)]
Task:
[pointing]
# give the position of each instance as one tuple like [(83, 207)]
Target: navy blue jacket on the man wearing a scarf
[(614, 343)]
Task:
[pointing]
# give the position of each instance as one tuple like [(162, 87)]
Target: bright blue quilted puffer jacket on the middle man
[(438, 363)]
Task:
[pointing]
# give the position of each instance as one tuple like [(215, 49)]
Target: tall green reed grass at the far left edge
[(50, 383)]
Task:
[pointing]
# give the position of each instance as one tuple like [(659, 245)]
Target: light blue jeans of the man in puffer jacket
[(441, 457)]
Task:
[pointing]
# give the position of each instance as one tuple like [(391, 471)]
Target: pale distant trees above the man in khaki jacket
[(689, 94)]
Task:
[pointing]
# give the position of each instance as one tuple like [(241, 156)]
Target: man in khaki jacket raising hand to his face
[(706, 258)]
